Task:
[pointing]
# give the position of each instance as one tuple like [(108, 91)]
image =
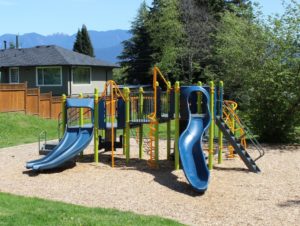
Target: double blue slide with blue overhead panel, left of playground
[(75, 140)]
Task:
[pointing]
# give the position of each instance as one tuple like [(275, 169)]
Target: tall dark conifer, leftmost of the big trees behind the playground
[(136, 58)]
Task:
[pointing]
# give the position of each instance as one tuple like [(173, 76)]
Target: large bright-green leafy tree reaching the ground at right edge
[(261, 67)]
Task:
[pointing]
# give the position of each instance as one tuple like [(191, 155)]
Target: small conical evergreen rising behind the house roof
[(83, 42)]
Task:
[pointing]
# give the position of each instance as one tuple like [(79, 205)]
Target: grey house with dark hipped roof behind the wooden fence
[(53, 68)]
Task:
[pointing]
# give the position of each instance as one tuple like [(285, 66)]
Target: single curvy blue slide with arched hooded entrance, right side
[(190, 143)]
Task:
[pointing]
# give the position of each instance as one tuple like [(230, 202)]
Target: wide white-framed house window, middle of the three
[(49, 76)]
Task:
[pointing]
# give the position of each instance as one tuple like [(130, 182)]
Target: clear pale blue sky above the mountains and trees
[(66, 16)]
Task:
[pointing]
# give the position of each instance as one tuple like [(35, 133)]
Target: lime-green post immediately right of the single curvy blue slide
[(211, 128)]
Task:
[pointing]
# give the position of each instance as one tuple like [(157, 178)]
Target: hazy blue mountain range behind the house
[(107, 44)]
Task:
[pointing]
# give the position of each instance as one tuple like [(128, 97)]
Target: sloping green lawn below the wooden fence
[(18, 128)]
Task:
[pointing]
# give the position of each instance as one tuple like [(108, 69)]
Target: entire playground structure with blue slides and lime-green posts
[(194, 109)]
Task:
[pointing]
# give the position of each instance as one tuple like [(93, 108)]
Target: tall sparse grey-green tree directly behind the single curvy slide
[(199, 24)]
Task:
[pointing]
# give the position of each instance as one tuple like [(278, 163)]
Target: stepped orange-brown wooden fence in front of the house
[(19, 98)]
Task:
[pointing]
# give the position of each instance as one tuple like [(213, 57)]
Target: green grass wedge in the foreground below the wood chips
[(17, 210)]
